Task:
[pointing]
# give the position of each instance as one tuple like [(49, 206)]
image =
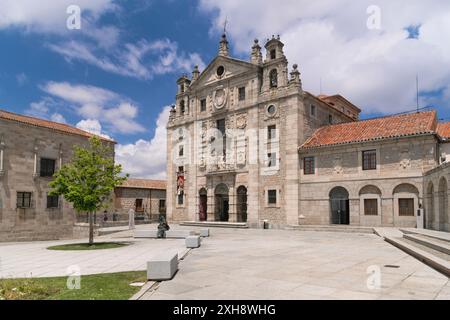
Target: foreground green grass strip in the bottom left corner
[(107, 286)]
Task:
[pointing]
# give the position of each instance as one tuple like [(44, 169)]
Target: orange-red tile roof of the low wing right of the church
[(374, 129)]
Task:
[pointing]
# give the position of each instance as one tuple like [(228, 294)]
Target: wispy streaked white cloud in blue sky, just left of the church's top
[(141, 60)]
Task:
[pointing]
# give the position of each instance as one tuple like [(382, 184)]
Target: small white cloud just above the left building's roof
[(94, 103)]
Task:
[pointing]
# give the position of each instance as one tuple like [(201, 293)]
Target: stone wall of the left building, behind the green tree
[(24, 143)]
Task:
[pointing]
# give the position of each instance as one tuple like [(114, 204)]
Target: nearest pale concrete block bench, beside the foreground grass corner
[(162, 267)]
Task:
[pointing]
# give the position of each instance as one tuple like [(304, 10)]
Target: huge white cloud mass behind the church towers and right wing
[(329, 40)]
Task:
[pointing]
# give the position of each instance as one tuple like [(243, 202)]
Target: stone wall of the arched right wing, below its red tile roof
[(401, 164)]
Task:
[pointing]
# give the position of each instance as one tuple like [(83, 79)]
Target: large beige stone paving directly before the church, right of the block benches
[(281, 264)]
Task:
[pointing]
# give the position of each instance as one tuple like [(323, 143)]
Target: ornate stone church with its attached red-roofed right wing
[(247, 144)]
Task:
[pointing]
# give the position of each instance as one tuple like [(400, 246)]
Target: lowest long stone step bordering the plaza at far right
[(426, 257)]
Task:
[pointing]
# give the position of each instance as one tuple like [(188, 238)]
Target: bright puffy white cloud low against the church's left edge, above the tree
[(146, 159)]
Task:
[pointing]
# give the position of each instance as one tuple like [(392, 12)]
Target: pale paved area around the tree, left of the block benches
[(33, 259)]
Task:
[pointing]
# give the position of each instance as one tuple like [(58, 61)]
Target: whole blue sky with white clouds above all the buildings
[(116, 75)]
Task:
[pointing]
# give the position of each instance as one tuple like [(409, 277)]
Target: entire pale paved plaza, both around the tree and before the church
[(249, 264)]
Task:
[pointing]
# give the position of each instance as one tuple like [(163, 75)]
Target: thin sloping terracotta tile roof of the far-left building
[(61, 127)]
